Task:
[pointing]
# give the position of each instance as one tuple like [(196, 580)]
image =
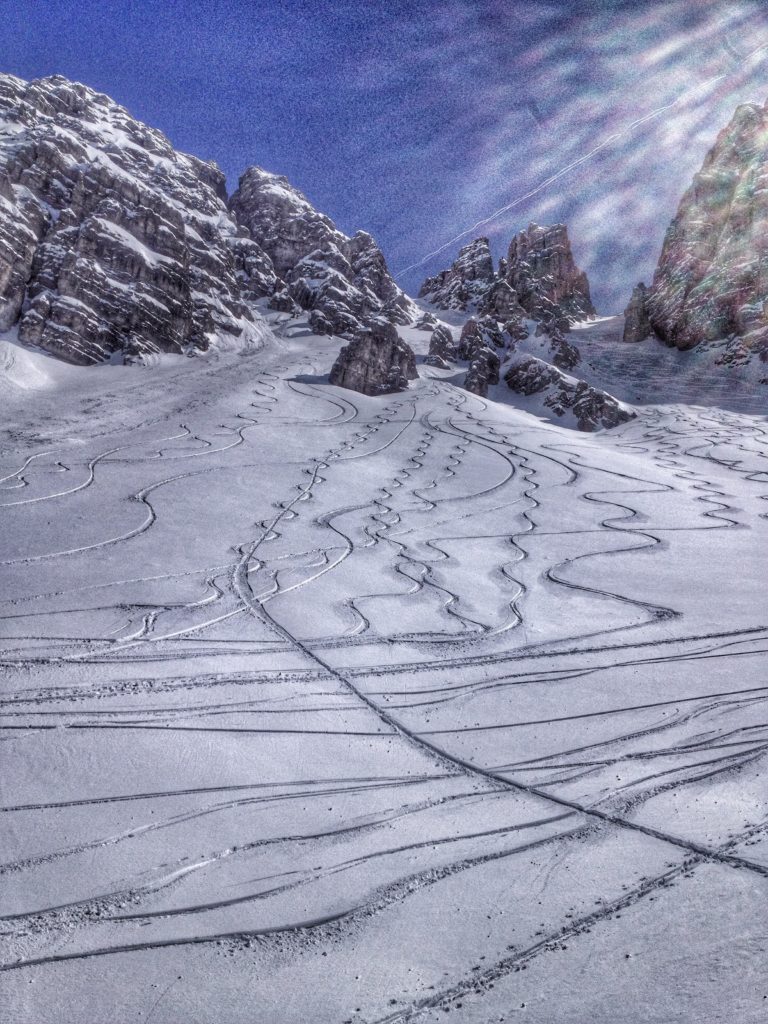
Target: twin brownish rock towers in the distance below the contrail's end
[(539, 279)]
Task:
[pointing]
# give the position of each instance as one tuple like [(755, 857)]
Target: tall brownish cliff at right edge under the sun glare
[(712, 279)]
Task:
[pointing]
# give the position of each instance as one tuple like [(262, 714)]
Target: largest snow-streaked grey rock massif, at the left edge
[(111, 240)]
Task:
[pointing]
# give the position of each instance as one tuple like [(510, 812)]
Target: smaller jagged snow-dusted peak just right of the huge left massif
[(345, 279)]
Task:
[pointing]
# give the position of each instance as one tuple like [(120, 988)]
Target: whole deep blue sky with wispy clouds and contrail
[(418, 120)]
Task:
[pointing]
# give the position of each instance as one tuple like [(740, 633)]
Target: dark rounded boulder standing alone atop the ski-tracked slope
[(377, 362)]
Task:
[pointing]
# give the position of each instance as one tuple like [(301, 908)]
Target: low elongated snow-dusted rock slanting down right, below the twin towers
[(566, 396)]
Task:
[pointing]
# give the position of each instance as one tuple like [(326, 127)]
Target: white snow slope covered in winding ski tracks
[(334, 709)]
